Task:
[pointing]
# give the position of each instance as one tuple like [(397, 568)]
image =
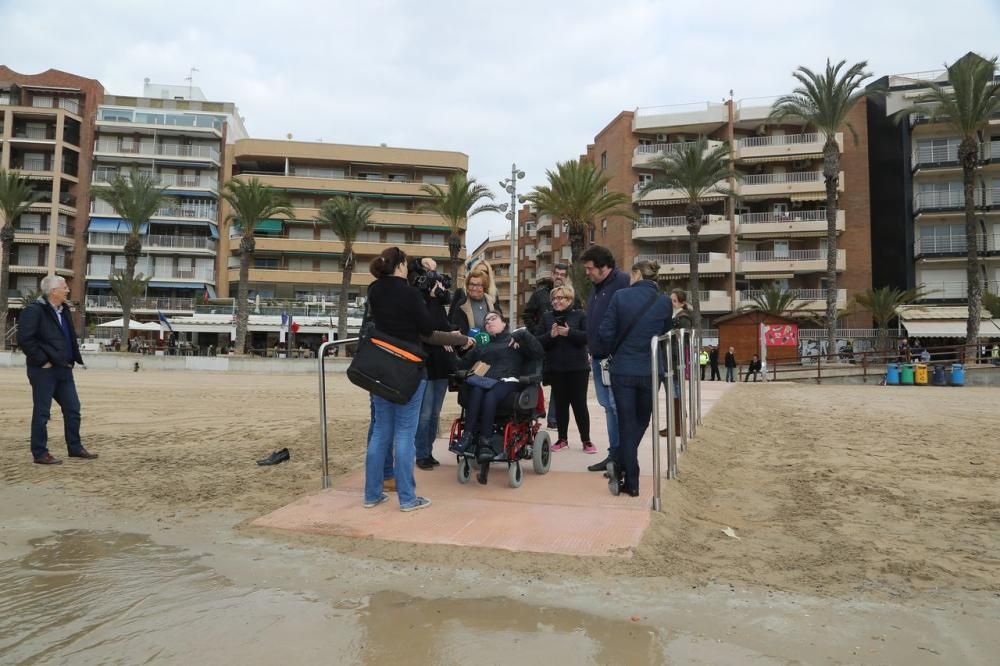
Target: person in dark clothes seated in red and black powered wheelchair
[(496, 378)]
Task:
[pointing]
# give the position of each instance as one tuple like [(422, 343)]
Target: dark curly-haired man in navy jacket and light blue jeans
[(599, 264)]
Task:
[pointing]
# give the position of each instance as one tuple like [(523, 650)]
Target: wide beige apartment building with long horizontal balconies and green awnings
[(296, 259)]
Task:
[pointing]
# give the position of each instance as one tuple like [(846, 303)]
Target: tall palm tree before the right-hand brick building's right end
[(824, 100)]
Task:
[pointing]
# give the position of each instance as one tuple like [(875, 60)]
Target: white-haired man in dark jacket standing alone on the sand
[(46, 336)]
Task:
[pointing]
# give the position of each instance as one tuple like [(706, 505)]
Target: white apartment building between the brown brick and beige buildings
[(177, 136)]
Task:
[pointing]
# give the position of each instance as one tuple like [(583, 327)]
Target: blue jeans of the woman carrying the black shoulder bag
[(395, 430)]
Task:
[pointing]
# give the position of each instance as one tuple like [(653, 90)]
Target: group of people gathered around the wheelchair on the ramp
[(623, 310)]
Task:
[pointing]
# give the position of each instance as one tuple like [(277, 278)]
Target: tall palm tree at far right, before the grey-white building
[(970, 100)]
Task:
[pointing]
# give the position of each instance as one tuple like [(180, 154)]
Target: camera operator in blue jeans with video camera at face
[(441, 360)]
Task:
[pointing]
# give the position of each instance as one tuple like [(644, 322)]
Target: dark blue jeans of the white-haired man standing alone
[(46, 384)]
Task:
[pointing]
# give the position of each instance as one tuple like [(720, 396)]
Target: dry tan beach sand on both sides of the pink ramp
[(832, 490)]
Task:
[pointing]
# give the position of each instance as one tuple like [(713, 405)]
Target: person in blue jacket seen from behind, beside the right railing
[(633, 317)]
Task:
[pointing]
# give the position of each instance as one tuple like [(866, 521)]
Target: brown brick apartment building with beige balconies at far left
[(46, 129)]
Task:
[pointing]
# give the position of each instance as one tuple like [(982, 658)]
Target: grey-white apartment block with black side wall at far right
[(918, 198)]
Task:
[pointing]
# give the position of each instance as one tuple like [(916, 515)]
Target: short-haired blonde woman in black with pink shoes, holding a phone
[(567, 367)]
